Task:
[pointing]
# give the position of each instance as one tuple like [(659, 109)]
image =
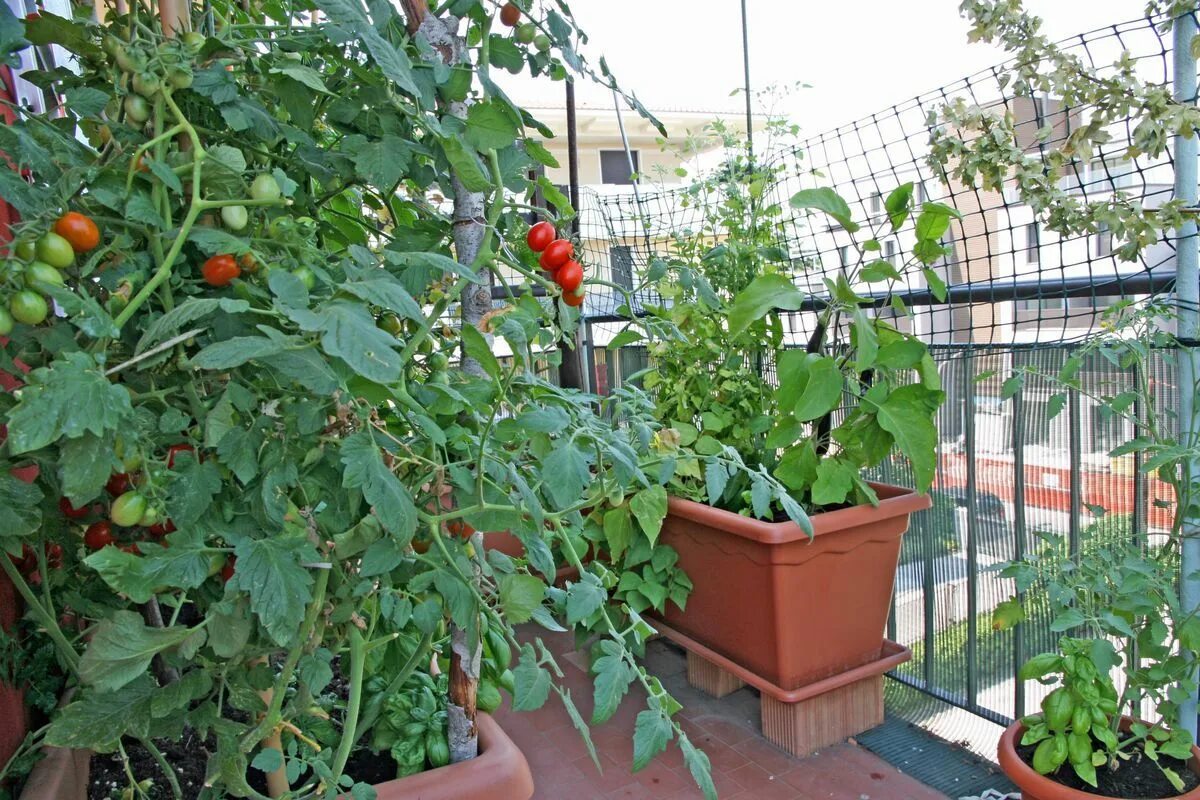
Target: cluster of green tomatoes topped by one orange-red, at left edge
[(38, 268)]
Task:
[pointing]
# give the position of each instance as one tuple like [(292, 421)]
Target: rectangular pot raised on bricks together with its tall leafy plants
[(793, 580)]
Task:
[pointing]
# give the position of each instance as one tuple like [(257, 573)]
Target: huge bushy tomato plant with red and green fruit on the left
[(346, 426)]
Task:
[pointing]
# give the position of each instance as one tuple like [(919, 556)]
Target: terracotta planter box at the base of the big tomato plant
[(500, 773)]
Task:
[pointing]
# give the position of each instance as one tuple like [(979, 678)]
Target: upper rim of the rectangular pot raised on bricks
[(895, 502)]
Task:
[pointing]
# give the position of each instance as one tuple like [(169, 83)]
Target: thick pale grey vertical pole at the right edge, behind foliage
[(1187, 293)]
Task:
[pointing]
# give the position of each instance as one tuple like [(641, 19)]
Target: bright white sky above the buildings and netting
[(857, 56)]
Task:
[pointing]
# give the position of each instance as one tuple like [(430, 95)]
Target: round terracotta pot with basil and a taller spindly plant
[(1127, 659)]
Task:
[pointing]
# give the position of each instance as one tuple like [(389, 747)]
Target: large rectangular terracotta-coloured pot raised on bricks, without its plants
[(788, 609)]
